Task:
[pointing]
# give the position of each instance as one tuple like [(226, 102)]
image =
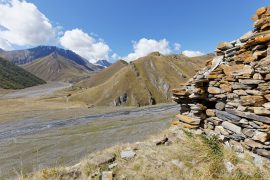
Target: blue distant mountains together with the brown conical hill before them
[(51, 63)]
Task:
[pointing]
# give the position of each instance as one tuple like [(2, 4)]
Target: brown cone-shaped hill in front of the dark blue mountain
[(56, 67)]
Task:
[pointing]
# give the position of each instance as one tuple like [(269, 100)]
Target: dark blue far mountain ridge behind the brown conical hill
[(27, 56)]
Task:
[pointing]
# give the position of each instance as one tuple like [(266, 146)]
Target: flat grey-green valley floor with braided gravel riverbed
[(45, 133)]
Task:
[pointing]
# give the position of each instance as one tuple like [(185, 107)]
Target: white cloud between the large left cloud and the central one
[(85, 45)]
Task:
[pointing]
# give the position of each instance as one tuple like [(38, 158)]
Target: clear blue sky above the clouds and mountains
[(196, 25)]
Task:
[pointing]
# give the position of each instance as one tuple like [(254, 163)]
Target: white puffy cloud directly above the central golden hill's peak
[(145, 46)]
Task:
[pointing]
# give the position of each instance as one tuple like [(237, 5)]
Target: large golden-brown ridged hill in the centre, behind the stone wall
[(145, 81)]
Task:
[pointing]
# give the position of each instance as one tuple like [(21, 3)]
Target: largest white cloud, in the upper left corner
[(23, 24)]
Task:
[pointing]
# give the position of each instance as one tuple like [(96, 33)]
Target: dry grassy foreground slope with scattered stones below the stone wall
[(189, 156)]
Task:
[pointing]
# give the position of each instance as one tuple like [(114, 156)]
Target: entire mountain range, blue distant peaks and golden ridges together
[(145, 81)]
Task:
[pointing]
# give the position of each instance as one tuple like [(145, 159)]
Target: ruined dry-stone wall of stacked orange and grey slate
[(230, 97)]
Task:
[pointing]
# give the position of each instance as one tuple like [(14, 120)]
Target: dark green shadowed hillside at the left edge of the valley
[(14, 77)]
